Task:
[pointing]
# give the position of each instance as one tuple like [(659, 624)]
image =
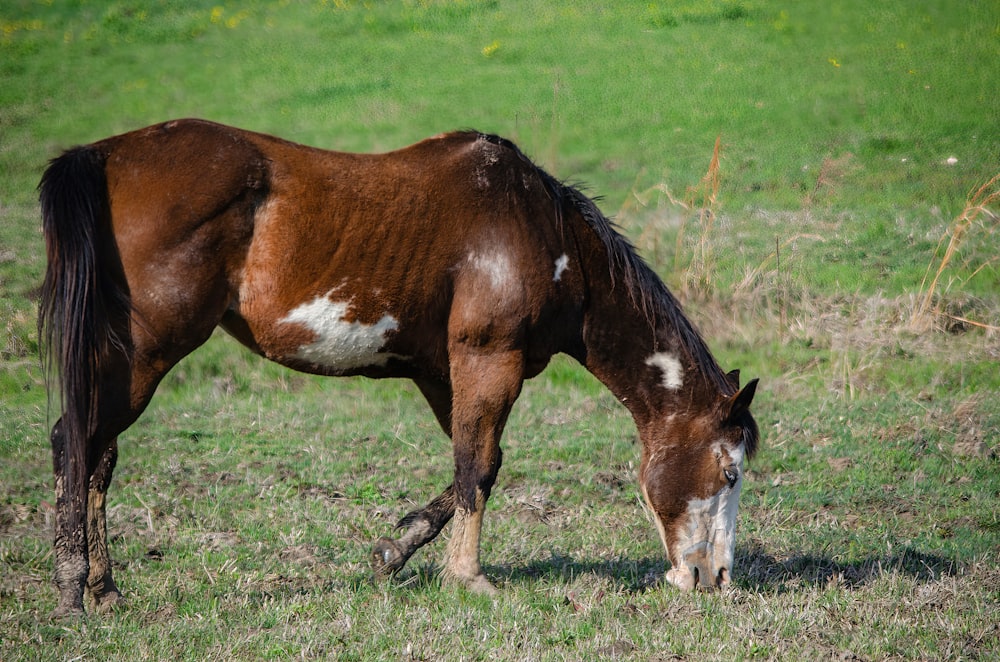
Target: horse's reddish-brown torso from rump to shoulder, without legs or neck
[(335, 262)]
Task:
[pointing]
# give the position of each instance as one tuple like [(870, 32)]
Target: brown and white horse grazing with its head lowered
[(454, 262)]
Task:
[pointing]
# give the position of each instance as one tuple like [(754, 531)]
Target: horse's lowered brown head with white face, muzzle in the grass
[(691, 477)]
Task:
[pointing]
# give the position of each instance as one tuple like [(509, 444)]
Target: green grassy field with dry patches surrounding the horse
[(839, 241)]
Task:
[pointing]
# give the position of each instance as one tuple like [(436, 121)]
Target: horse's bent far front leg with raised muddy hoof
[(423, 524)]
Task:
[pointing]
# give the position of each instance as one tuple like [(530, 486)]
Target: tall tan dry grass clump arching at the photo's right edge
[(977, 215)]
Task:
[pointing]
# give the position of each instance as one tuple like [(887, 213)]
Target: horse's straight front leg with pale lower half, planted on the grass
[(485, 385)]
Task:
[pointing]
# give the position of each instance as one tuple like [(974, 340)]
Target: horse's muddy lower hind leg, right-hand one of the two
[(100, 583)]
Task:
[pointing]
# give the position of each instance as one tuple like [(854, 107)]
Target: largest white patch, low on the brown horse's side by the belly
[(340, 344)]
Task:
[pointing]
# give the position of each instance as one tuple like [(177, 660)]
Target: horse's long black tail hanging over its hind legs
[(84, 298)]
